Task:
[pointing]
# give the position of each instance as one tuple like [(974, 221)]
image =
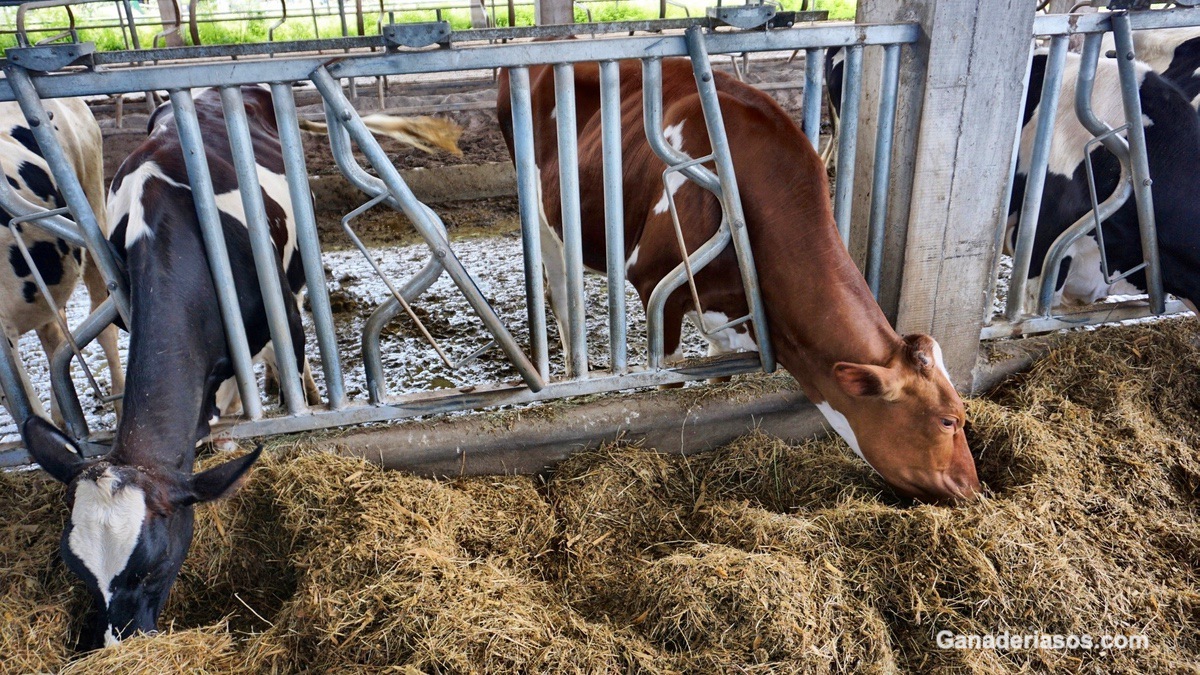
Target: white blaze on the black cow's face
[(106, 524)]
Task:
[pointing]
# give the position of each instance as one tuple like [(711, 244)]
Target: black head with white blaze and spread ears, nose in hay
[(129, 531)]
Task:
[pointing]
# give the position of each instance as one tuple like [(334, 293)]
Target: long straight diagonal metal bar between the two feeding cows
[(418, 214)]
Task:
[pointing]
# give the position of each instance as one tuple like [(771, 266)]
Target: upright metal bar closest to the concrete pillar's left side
[(883, 175)]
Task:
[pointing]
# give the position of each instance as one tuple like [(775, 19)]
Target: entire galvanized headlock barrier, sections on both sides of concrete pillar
[(34, 74)]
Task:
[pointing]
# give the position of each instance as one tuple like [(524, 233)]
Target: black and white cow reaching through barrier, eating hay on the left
[(131, 512)]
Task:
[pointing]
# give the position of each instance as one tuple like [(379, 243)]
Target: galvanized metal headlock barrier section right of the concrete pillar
[(1136, 181)]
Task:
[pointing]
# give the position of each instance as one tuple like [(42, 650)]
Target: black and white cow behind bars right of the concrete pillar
[(1173, 148)]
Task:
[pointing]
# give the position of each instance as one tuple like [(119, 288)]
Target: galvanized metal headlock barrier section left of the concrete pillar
[(53, 71)]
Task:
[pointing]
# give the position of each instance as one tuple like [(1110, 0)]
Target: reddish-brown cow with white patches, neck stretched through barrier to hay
[(889, 396)]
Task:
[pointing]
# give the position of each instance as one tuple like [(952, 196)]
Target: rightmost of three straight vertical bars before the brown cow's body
[(614, 213)]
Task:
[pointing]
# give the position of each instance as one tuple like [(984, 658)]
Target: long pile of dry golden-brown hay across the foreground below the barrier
[(761, 557)]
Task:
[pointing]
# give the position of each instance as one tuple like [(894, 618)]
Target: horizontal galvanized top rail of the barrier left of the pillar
[(226, 74)]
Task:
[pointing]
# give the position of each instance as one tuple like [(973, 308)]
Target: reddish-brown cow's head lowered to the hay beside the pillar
[(907, 421)]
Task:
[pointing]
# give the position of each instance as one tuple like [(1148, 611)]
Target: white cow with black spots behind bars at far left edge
[(62, 265)]
